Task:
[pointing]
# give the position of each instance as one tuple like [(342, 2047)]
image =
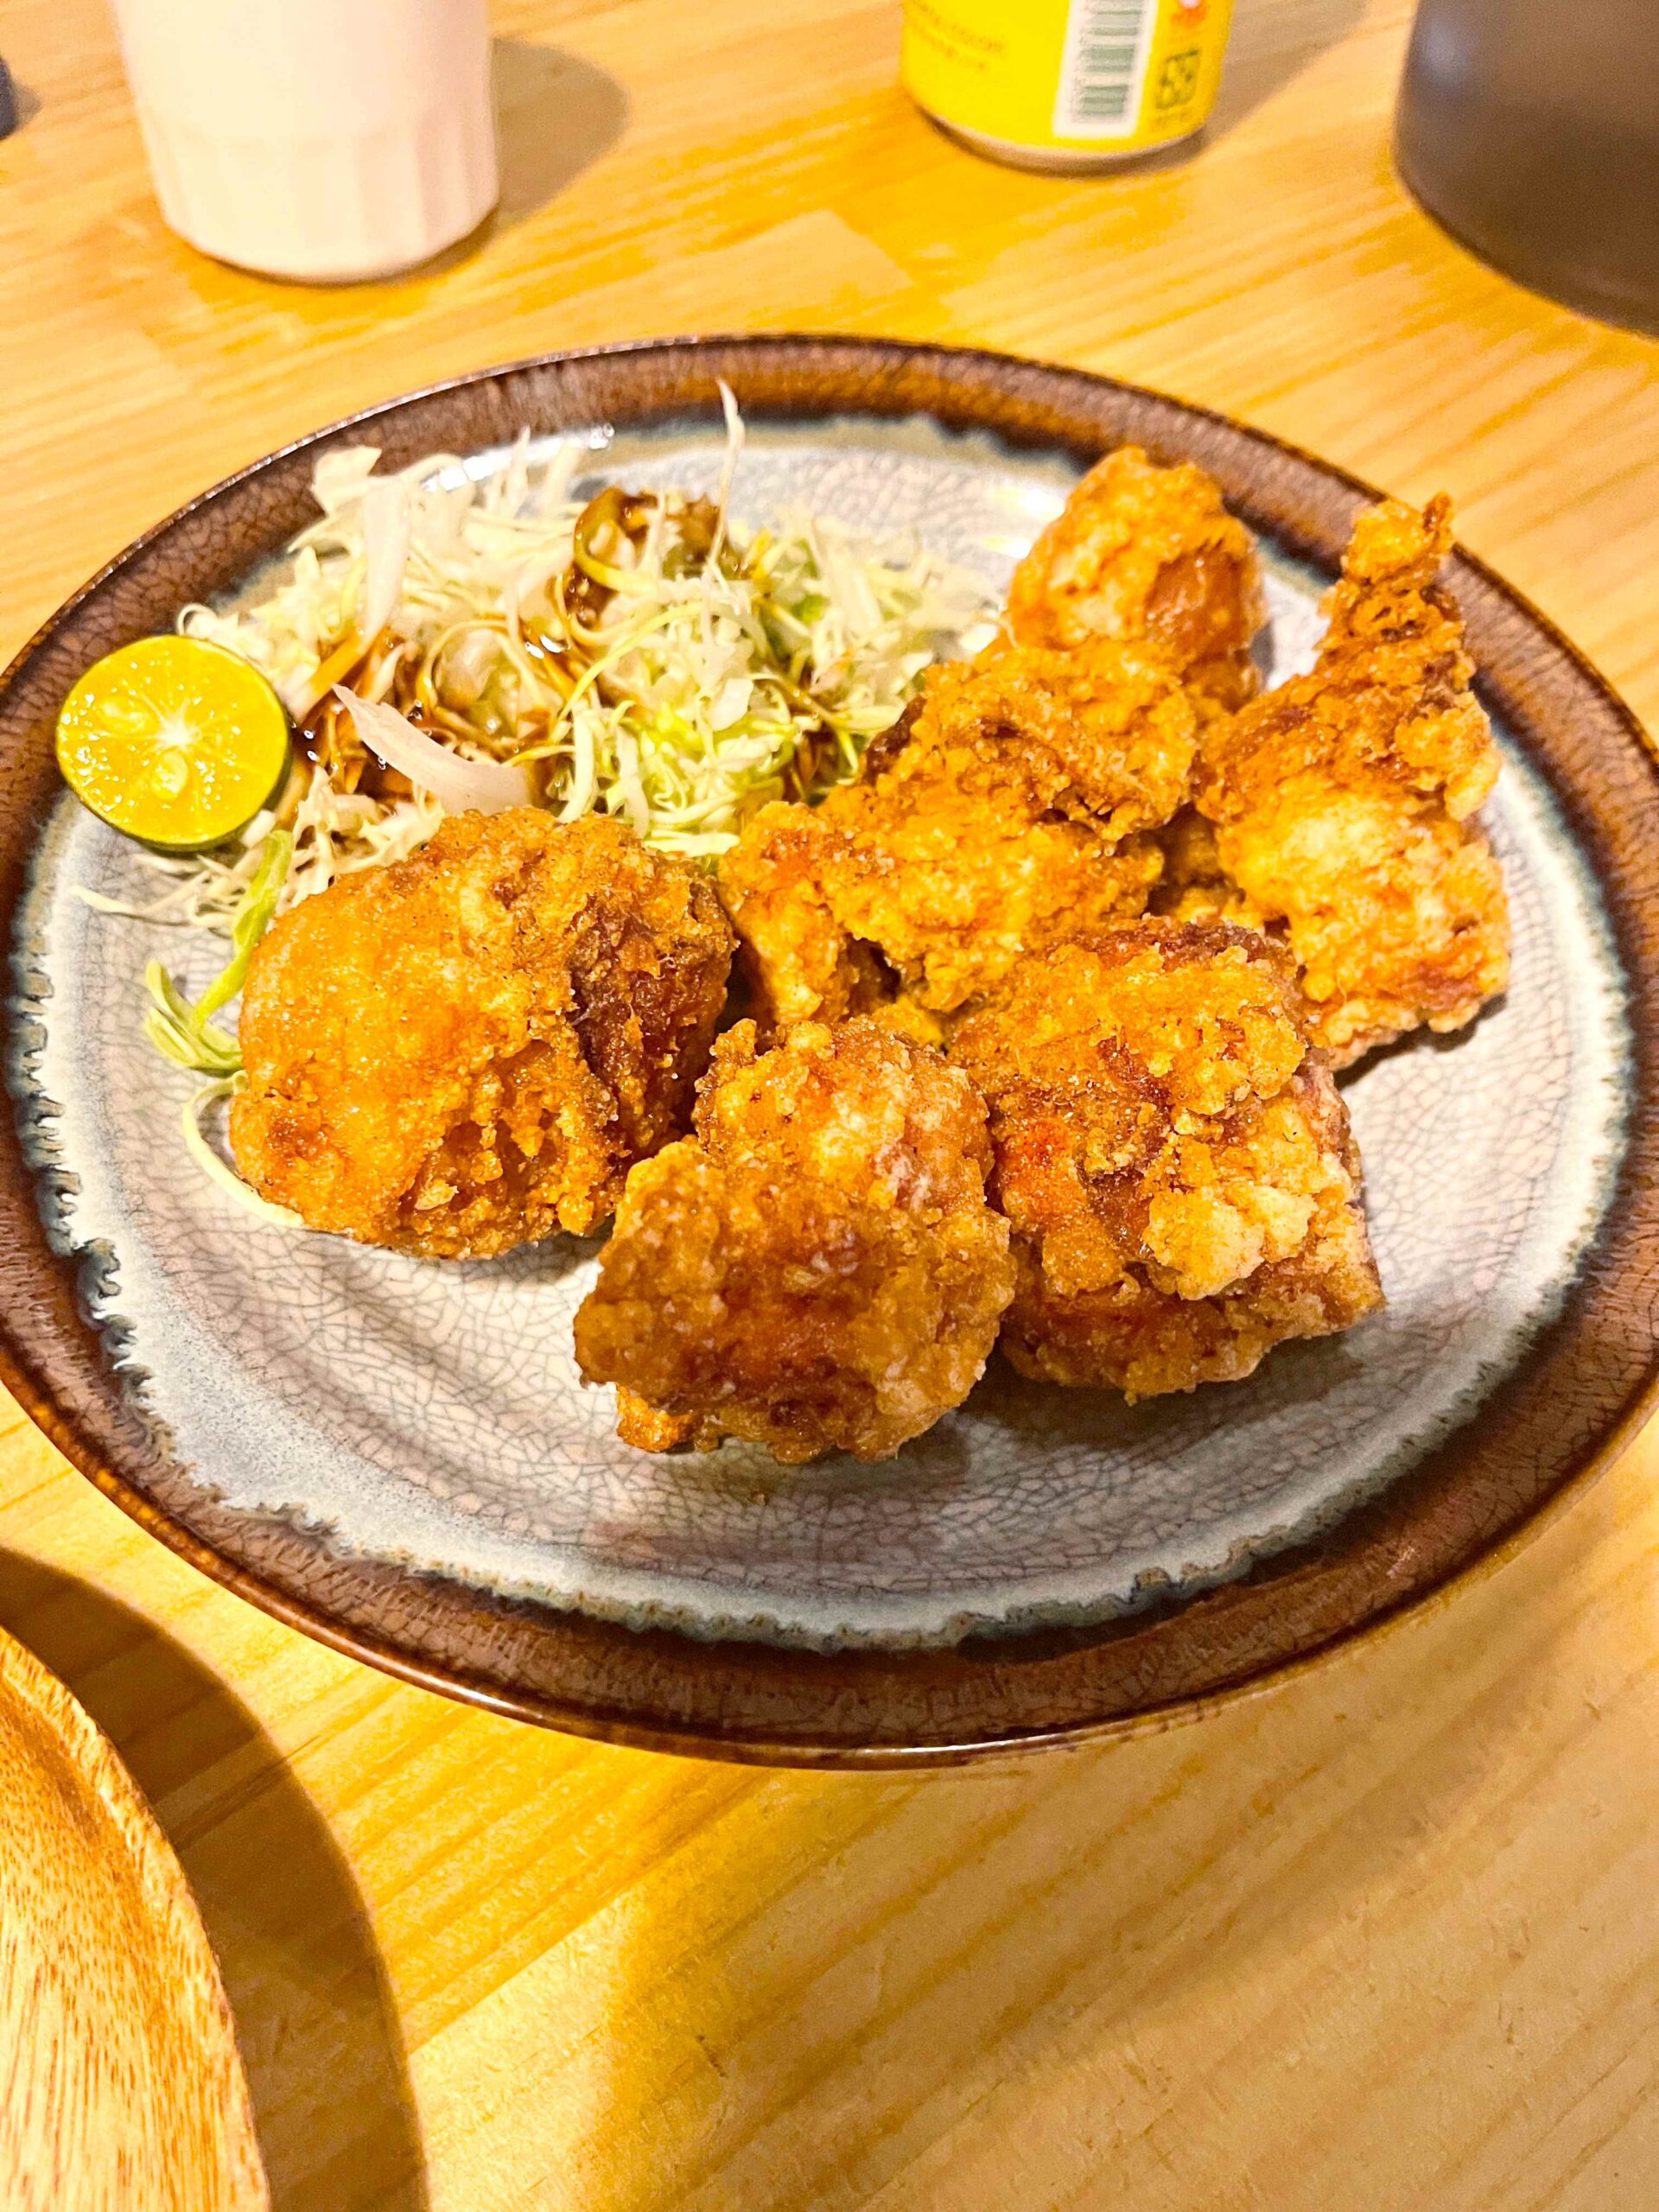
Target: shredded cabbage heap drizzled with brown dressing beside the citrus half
[(638, 654)]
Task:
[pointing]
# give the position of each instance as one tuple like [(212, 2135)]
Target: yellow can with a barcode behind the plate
[(1065, 83)]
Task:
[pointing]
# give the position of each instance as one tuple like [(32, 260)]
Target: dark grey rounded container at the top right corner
[(1532, 132)]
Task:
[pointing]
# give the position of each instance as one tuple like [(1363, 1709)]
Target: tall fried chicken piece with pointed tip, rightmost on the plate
[(1344, 802)]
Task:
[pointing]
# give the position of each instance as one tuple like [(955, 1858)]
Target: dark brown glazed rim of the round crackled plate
[(762, 1702)]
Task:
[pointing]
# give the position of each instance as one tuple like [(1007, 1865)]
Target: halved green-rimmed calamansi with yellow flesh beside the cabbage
[(174, 740)]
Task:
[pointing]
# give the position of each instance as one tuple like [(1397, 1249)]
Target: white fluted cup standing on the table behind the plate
[(326, 140)]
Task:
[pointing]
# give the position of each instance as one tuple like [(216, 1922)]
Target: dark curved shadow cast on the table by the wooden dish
[(313, 2010)]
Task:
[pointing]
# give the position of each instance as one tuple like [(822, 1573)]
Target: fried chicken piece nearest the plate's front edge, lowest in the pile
[(817, 1269)]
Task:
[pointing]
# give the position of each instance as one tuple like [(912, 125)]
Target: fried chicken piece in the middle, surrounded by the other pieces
[(1005, 811)]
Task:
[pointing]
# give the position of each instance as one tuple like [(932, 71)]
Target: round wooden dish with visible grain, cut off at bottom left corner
[(121, 2080)]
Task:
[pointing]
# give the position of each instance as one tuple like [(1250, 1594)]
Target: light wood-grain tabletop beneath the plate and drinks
[(1388, 1937)]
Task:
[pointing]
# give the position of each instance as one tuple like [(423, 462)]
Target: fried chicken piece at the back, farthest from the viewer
[(1154, 559)]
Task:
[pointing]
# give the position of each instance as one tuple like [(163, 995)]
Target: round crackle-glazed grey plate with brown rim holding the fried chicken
[(399, 1457)]
